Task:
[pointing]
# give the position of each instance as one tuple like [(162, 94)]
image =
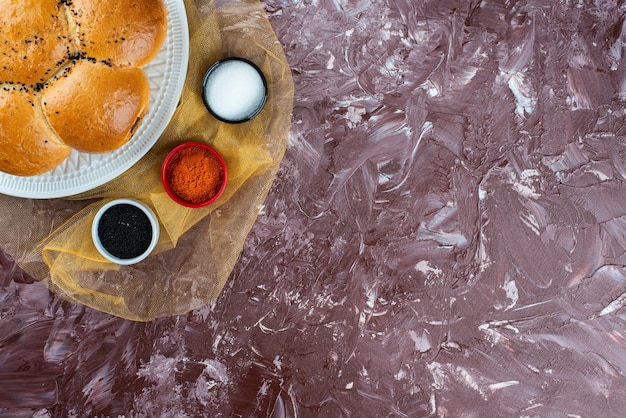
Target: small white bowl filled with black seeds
[(125, 231)]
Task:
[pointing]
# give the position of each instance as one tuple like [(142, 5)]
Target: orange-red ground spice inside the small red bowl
[(195, 174)]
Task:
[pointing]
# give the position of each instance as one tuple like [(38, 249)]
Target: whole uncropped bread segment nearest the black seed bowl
[(96, 107)]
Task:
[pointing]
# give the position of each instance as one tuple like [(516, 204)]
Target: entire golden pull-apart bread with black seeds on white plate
[(75, 68)]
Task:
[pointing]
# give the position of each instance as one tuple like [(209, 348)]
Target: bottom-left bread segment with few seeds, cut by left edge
[(29, 147)]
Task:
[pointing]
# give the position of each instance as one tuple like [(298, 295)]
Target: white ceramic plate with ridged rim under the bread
[(81, 172)]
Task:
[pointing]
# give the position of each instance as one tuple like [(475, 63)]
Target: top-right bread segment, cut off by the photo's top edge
[(104, 32)]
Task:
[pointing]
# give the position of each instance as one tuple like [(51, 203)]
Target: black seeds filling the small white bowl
[(125, 231)]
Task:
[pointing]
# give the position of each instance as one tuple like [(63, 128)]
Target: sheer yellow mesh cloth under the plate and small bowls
[(50, 239)]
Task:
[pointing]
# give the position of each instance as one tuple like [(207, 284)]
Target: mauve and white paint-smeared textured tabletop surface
[(445, 236)]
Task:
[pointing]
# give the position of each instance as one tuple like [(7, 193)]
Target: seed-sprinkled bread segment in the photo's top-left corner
[(34, 40)]
